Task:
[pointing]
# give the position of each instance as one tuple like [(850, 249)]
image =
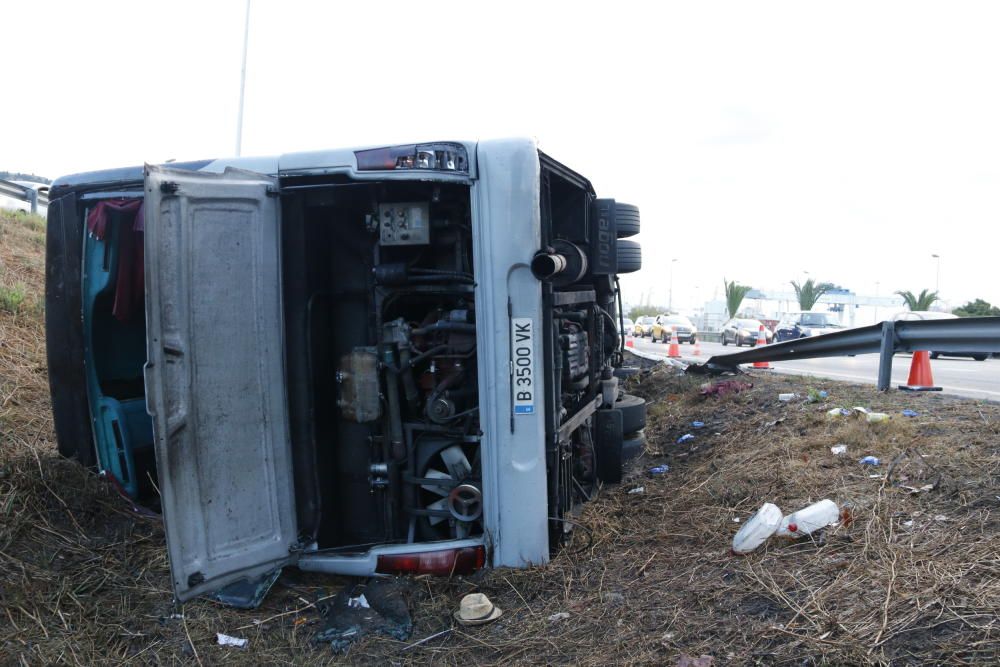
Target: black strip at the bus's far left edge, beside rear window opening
[(64, 331)]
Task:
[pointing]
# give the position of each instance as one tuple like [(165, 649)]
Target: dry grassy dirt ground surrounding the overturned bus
[(909, 576)]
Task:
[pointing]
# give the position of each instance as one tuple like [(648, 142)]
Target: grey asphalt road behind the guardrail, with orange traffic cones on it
[(961, 376)]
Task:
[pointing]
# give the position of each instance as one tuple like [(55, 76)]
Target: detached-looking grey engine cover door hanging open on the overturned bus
[(214, 379)]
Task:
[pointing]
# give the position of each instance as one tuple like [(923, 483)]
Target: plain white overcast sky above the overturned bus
[(863, 136)]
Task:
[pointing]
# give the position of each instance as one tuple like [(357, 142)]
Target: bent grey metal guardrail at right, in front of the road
[(965, 335)]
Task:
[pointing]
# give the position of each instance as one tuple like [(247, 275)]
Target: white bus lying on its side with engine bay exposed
[(402, 359)]
